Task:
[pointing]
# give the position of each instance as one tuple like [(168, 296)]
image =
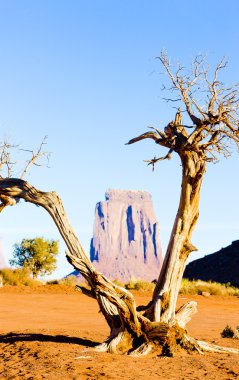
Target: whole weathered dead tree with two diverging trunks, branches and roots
[(213, 126)]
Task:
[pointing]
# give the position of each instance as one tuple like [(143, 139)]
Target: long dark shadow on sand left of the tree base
[(29, 337)]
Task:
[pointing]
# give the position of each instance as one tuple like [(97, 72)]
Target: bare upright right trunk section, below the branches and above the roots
[(180, 246)]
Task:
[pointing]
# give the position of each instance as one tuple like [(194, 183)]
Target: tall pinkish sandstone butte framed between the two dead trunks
[(126, 241)]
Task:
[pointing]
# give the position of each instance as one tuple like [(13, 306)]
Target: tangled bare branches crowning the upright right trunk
[(212, 107)]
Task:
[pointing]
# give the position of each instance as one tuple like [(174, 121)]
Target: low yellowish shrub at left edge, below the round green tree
[(18, 277)]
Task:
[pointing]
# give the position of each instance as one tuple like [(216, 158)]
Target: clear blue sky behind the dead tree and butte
[(85, 74)]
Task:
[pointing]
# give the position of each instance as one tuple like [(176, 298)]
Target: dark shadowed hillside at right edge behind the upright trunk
[(221, 266)]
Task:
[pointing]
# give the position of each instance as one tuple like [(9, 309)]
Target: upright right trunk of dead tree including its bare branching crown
[(214, 124)]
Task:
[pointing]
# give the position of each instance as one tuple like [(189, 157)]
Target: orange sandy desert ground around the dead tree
[(48, 333)]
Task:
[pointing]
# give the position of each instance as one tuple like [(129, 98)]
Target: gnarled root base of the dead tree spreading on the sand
[(160, 338)]
